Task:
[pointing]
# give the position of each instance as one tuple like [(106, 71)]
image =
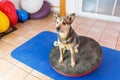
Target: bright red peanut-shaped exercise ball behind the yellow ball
[(8, 8)]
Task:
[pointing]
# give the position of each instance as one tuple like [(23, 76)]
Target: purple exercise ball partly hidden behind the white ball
[(44, 11)]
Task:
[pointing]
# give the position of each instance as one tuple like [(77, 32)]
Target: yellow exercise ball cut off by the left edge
[(4, 22)]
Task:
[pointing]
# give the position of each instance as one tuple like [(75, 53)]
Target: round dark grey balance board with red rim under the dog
[(87, 60)]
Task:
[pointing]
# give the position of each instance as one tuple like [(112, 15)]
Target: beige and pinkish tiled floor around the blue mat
[(106, 33)]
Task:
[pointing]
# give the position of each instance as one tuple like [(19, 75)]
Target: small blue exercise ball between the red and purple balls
[(22, 15)]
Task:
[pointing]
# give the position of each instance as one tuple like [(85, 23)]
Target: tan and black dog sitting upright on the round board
[(67, 37)]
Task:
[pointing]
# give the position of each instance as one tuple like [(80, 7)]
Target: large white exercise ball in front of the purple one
[(31, 6)]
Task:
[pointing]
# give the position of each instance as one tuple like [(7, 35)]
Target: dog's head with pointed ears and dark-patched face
[(63, 24)]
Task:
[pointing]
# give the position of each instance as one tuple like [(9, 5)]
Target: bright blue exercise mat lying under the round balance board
[(35, 53)]
